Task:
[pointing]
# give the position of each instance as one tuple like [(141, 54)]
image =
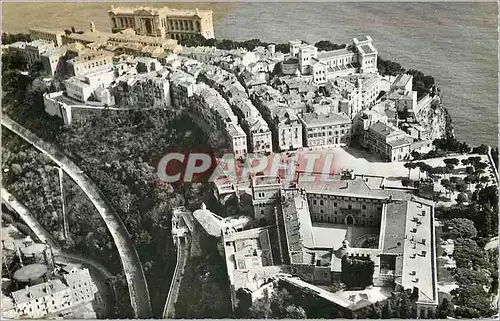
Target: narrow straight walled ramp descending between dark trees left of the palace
[(173, 293)]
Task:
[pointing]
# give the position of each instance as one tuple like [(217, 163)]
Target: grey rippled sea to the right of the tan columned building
[(454, 42)]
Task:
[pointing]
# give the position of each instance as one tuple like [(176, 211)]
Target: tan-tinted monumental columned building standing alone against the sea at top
[(163, 22)]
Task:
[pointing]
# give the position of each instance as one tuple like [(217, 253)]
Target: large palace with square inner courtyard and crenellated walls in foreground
[(315, 227)]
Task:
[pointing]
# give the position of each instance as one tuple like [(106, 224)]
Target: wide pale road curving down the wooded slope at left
[(138, 290)]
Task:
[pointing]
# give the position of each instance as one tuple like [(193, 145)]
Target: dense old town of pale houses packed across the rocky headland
[(256, 101)]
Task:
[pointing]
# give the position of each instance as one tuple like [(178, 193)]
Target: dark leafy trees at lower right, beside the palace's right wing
[(477, 269)]
